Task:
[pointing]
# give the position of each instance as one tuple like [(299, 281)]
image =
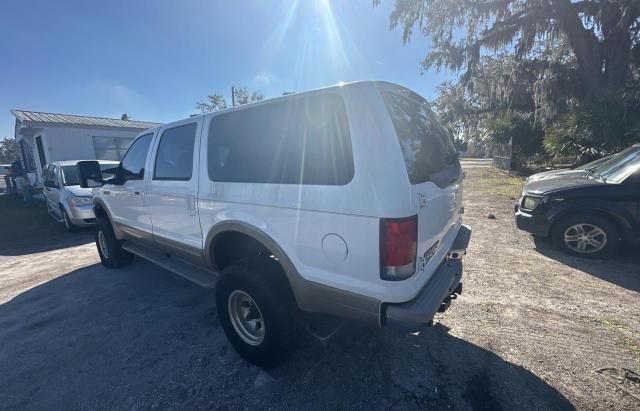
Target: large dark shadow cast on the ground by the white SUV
[(141, 337)]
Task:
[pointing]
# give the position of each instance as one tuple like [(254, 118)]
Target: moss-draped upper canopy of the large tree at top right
[(604, 36)]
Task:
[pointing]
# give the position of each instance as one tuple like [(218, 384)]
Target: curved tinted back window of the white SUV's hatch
[(429, 154)]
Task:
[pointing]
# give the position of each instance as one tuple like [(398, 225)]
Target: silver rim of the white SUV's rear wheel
[(246, 317)]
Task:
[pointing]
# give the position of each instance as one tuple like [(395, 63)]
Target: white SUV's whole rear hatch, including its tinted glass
[(433, 170)]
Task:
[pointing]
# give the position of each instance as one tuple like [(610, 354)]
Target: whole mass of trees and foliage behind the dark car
[(562, 69)]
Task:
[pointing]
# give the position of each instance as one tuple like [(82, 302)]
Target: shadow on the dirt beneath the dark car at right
[(622, 269)]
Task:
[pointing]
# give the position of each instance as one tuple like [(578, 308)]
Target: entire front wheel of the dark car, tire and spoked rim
[(586, 236)]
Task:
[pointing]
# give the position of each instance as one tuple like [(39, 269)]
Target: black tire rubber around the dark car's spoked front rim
[(611, 235)]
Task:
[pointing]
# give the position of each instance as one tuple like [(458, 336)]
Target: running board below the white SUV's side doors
[(202, 277)]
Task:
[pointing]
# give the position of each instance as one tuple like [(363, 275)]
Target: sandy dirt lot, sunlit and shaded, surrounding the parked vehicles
[(534, 329)]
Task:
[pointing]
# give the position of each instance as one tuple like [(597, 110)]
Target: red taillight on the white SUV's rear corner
[(398, 247)]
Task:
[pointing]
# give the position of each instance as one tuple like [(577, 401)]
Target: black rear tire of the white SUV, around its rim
[(263, 281)]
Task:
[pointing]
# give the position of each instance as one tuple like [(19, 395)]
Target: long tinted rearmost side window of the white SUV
[(301, 140)]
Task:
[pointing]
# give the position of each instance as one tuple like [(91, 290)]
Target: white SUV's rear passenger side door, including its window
[(173, 188)]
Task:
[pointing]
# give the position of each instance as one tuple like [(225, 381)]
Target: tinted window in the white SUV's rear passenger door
[(174, 159)]
